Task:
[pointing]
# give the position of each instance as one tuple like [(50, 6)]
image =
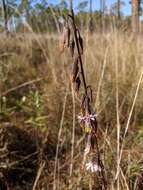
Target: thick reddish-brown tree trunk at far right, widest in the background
[(135, 16)]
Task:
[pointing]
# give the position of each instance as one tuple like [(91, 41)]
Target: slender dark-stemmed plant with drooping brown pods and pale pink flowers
[(71, 38)]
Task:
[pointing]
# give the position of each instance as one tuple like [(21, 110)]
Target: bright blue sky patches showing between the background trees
[(126, 9)]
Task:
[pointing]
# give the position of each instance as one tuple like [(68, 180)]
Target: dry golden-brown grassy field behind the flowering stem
[(36, 98)]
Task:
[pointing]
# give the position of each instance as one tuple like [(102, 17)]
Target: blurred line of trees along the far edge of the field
[(40, 16)]
